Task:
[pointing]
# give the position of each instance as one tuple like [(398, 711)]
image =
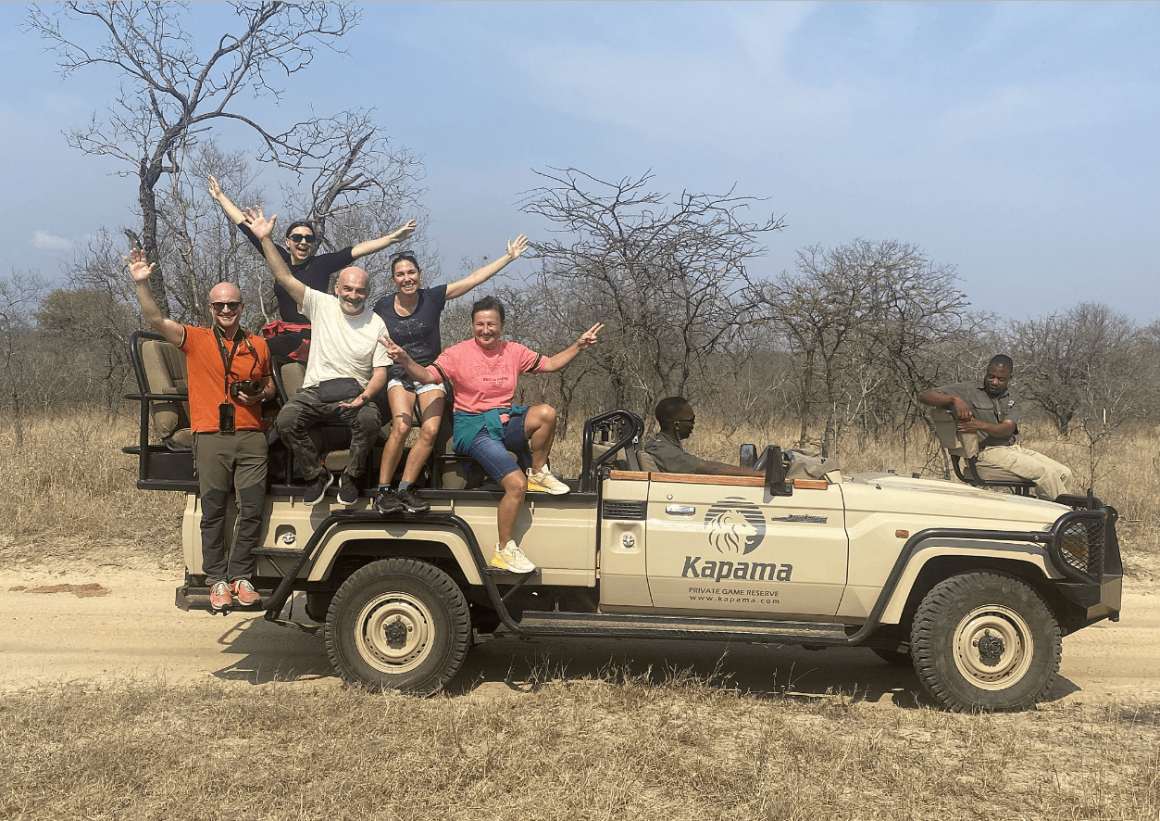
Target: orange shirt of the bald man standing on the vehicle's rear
[(207, 379)]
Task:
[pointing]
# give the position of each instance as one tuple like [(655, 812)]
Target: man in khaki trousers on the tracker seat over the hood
[(990, 412)]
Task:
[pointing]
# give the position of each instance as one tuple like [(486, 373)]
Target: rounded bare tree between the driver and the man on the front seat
[(862, 318)]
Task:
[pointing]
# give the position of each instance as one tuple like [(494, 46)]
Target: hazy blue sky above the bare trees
[(1018, 142)]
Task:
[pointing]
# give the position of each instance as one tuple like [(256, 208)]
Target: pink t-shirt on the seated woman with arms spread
[(487, 380)]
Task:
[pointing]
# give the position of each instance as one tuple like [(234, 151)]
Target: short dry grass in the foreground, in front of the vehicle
[(581, 750)]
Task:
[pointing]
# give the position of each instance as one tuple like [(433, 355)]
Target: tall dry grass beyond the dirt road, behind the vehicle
[(70, 485)]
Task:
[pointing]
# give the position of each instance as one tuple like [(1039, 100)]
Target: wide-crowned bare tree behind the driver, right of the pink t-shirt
[(668, 279)]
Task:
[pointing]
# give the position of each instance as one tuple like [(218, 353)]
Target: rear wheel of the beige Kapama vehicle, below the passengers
[(398, 624)]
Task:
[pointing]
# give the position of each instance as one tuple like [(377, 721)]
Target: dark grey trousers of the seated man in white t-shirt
[(306, 411)]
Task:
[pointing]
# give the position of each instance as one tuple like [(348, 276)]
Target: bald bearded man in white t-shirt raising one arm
[(347, 368)]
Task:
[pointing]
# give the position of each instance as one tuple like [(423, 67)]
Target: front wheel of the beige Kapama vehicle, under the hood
[(985, 642)]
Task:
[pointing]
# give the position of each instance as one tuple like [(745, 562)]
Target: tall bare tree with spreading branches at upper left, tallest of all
[(170, 93)]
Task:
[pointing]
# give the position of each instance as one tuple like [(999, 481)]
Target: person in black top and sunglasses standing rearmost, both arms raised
[(289, 338)]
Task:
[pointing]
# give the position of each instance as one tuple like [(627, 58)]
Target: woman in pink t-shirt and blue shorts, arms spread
[(484, 372)]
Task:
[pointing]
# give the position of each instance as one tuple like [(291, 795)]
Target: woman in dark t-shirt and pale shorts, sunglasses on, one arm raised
[(412, 316)]
